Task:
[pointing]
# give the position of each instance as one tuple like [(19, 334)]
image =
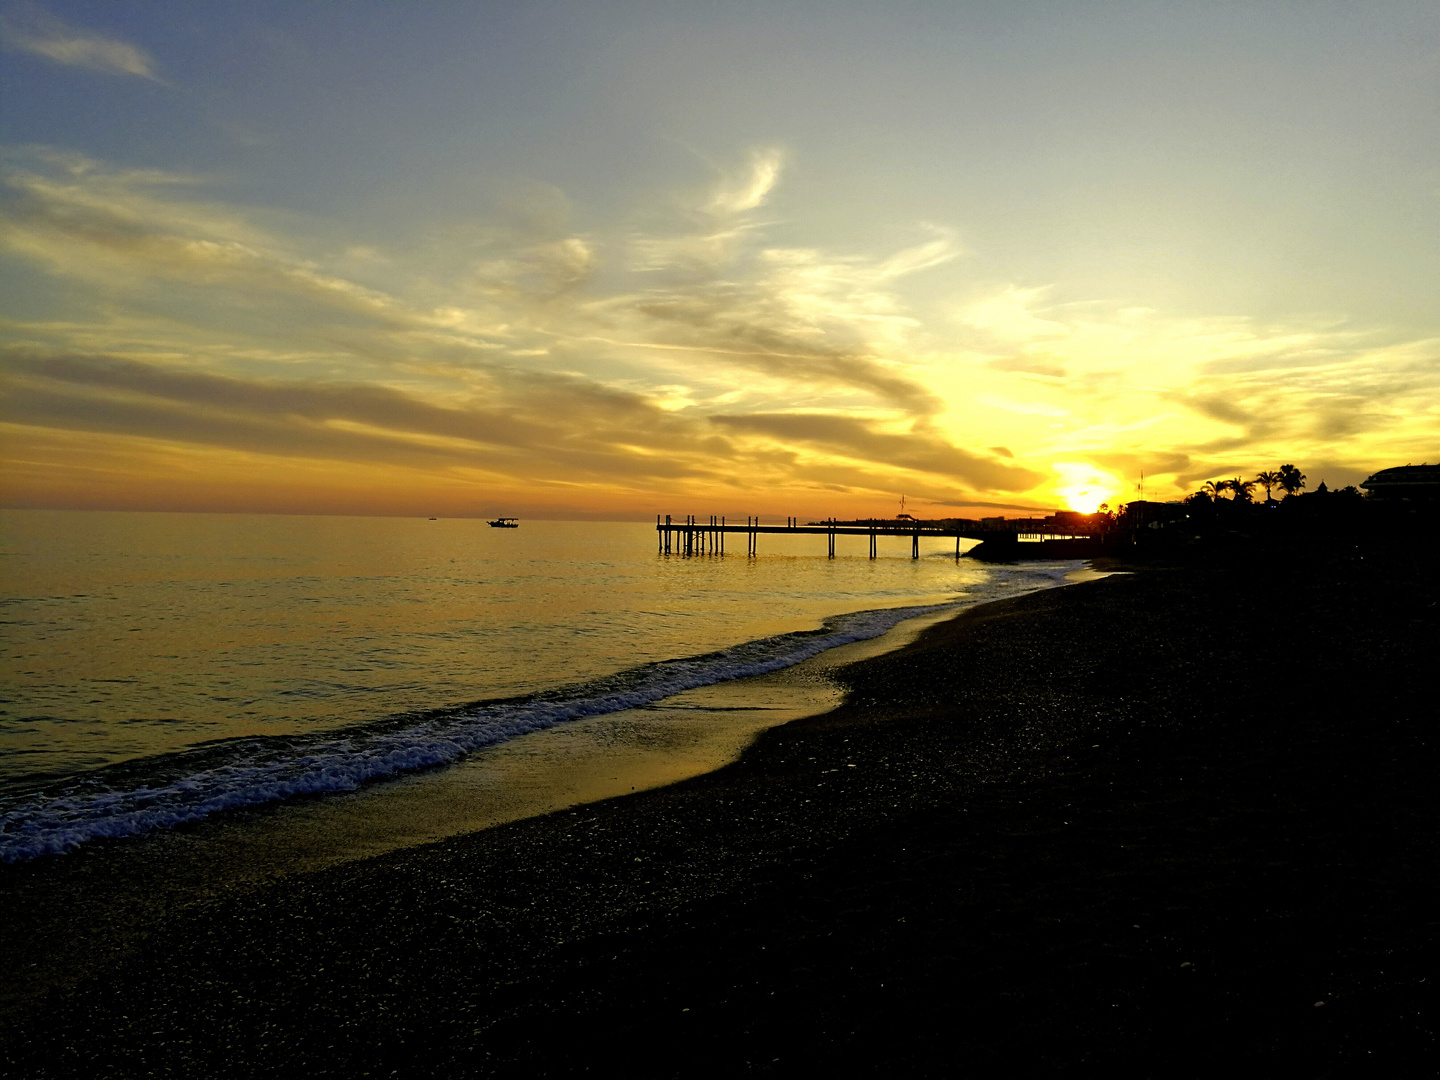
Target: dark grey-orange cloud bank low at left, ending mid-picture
[(526, 426)]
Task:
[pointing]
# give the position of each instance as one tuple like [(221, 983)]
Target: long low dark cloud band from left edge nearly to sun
[(522, 428)]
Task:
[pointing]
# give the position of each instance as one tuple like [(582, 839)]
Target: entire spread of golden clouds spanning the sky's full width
[(696, 355)]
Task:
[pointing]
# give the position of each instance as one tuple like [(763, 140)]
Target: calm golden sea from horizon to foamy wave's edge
[(159, 667)]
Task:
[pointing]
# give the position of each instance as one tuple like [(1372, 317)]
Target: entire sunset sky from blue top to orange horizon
[(617, 260)]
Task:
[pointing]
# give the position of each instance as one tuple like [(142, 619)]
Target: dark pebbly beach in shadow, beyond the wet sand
[(1163, 824)]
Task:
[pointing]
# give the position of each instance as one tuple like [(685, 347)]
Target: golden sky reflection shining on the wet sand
[(578, 762)]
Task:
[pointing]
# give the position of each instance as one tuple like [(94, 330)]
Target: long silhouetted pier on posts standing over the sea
[(693, 538)]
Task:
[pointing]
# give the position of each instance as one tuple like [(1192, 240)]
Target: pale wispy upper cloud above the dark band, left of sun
[(809, 322)]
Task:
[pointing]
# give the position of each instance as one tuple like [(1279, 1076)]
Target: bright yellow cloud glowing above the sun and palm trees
[(1194, 398)]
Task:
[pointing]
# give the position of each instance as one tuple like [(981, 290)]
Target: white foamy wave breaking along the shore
[(251, 773)]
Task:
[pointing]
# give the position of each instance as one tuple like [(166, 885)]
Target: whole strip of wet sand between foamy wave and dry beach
[(158, 876)]
